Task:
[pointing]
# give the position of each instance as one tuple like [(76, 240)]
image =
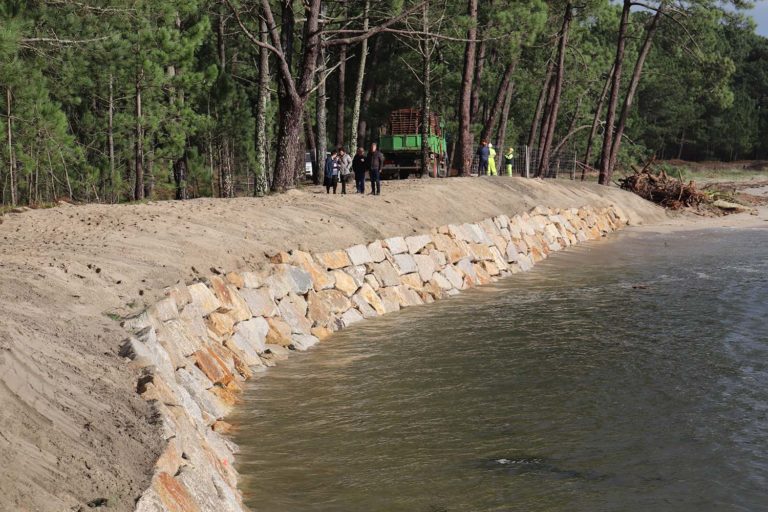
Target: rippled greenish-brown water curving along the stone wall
[(564, 389)]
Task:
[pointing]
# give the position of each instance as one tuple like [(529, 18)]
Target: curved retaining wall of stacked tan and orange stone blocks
[(198, 345)]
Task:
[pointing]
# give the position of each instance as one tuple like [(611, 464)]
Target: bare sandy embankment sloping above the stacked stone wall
[(73, 428)]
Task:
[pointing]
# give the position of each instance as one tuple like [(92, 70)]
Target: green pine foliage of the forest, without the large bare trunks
[(70, 66)]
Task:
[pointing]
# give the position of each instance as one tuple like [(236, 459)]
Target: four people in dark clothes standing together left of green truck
[(339, 166)]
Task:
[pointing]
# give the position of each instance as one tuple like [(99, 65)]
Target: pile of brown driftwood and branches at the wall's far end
[(661, 189)]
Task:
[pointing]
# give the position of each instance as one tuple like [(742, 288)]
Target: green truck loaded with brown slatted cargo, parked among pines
[(400, 142)]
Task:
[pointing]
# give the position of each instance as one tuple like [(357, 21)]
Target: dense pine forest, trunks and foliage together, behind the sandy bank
[(121, 100)]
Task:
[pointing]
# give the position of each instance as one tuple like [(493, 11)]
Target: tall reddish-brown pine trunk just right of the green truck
[(464, 149)]
